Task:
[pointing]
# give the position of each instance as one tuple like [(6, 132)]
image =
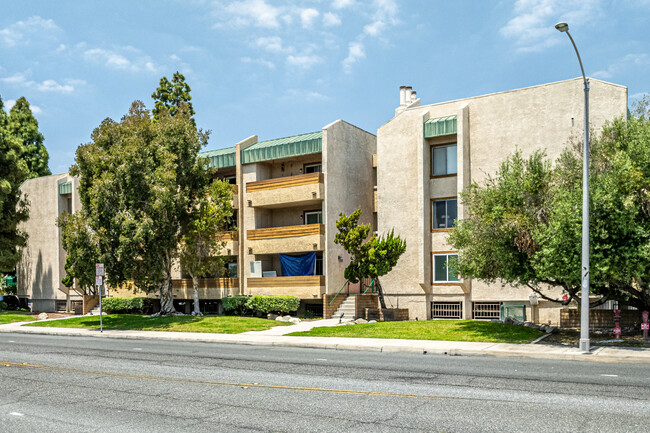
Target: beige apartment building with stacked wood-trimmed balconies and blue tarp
[(288, 195)]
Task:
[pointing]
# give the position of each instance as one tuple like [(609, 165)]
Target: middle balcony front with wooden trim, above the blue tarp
[(290, 239)]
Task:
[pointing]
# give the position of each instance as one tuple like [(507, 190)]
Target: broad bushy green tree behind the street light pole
[(525, 222)]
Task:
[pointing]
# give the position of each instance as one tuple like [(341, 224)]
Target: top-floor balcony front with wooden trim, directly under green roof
[(301, 190)]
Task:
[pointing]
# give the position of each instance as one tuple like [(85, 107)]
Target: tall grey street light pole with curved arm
[(584, 304)]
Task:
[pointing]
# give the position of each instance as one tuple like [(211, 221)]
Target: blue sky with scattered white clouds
[(278, 68)]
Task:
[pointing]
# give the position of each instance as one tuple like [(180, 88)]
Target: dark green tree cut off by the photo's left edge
[(13, 204)]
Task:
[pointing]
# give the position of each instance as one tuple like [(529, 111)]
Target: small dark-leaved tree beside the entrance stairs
[(372, 258)]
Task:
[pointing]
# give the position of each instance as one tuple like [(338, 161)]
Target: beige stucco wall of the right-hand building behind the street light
[(490, 128)]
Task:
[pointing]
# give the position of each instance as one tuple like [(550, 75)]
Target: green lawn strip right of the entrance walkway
[(445, 330)]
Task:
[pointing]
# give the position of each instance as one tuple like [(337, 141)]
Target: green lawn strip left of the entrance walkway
[(136, 322)]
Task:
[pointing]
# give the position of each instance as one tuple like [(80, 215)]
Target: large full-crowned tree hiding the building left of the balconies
[(139, 181)]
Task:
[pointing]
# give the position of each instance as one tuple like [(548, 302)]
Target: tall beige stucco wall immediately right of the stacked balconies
[(347, 164)]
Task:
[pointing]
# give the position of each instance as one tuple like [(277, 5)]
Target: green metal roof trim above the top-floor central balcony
[(303, 144)]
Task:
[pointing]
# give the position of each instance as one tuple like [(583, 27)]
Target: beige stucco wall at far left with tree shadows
[(42, 264)]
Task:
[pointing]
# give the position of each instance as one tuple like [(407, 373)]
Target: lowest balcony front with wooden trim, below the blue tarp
[(308, 287)]
